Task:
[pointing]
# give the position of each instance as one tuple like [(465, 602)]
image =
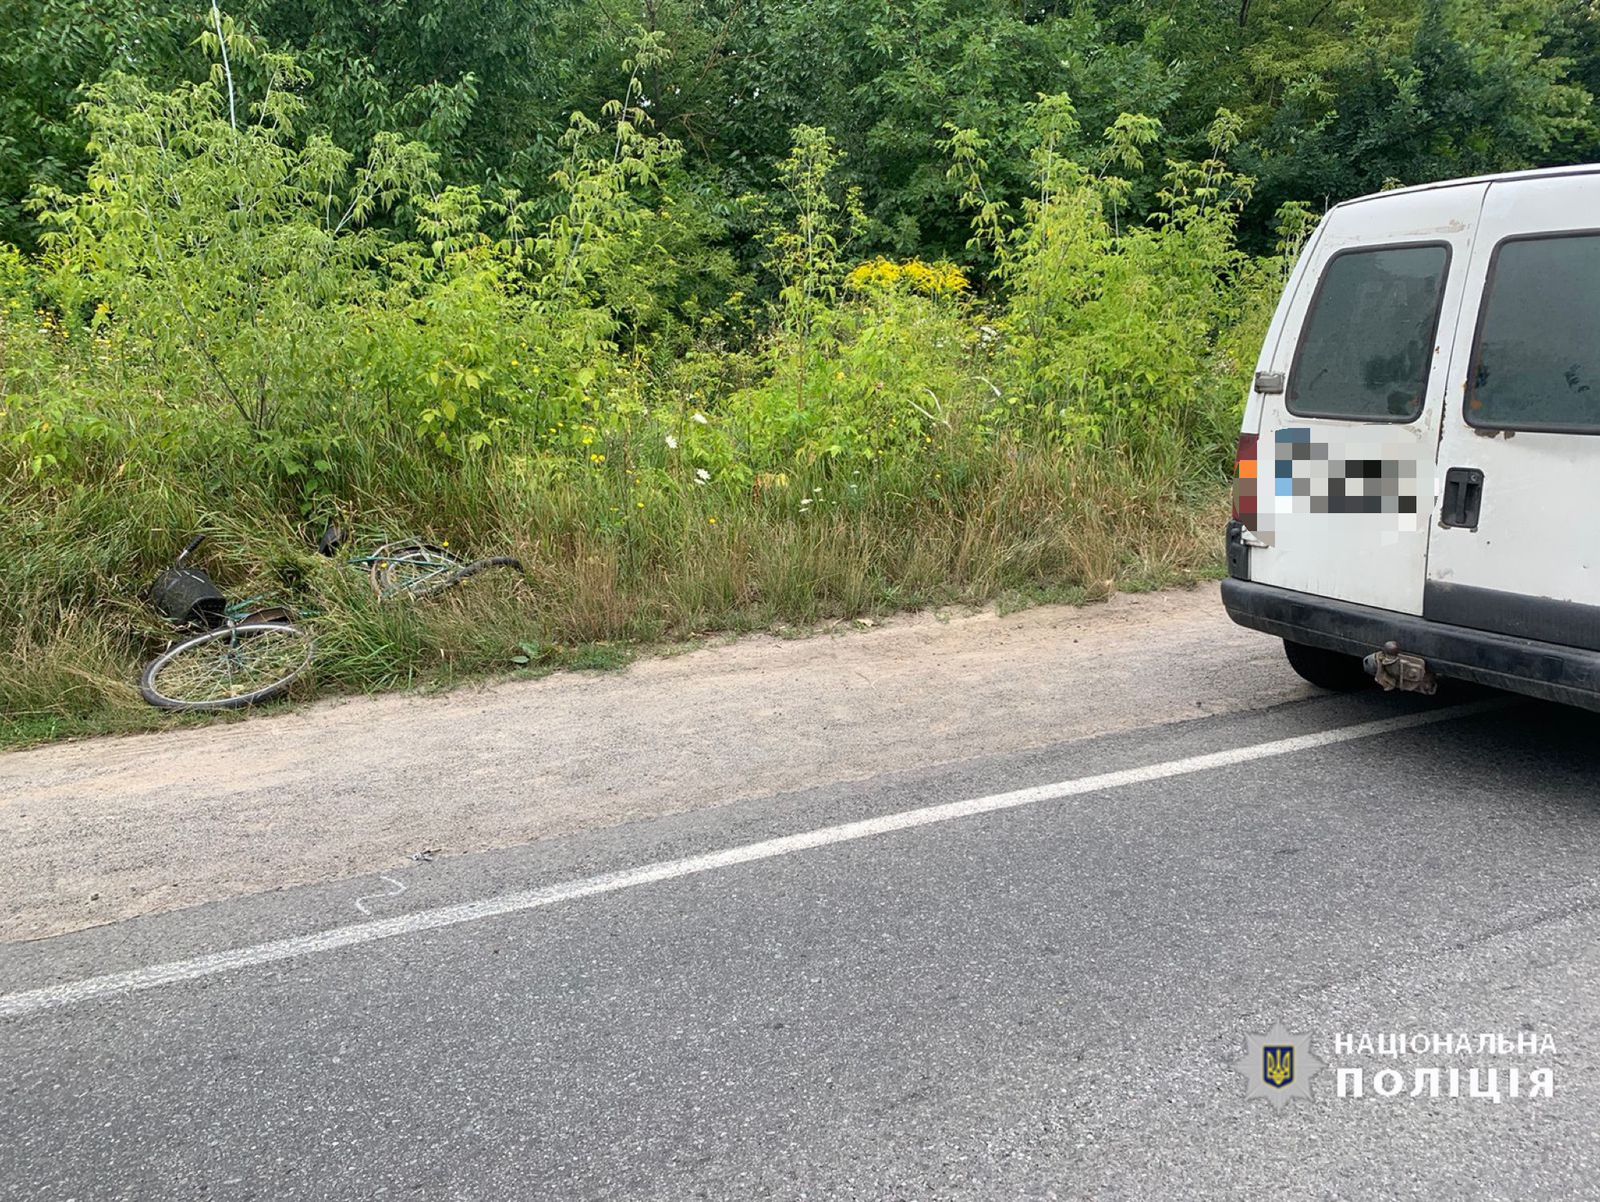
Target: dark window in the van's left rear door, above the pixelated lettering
[(1369, 337)]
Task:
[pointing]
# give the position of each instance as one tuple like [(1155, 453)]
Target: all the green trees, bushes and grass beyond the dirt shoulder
[(718, 315)]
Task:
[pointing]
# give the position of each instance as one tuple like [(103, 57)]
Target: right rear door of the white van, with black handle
[(1514, 543)]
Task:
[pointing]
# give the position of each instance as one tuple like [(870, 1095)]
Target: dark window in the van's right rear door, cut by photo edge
[(1537, 359)]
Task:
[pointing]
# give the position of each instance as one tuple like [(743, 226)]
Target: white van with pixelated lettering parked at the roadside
[(1420, 463)]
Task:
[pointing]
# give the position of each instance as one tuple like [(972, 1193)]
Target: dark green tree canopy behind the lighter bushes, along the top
[(1335, 97)]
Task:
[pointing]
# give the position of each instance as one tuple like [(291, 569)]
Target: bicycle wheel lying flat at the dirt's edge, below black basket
[(228, 668)]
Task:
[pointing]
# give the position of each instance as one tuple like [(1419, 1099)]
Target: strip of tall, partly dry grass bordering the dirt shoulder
[(76, 564)]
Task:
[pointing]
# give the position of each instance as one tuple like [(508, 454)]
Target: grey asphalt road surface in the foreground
[(1036, 1001)]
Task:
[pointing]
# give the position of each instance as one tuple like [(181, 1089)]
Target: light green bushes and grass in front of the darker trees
[(238, 327)]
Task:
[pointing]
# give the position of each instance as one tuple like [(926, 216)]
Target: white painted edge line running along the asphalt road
[(33, 1001)]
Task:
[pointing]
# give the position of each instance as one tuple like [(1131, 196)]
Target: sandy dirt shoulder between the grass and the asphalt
[(116, 828)]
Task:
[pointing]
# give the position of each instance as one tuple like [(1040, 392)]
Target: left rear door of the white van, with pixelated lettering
[(1351, 395)]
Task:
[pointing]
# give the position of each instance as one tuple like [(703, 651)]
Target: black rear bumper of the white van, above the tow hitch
[(1569, 675)]
